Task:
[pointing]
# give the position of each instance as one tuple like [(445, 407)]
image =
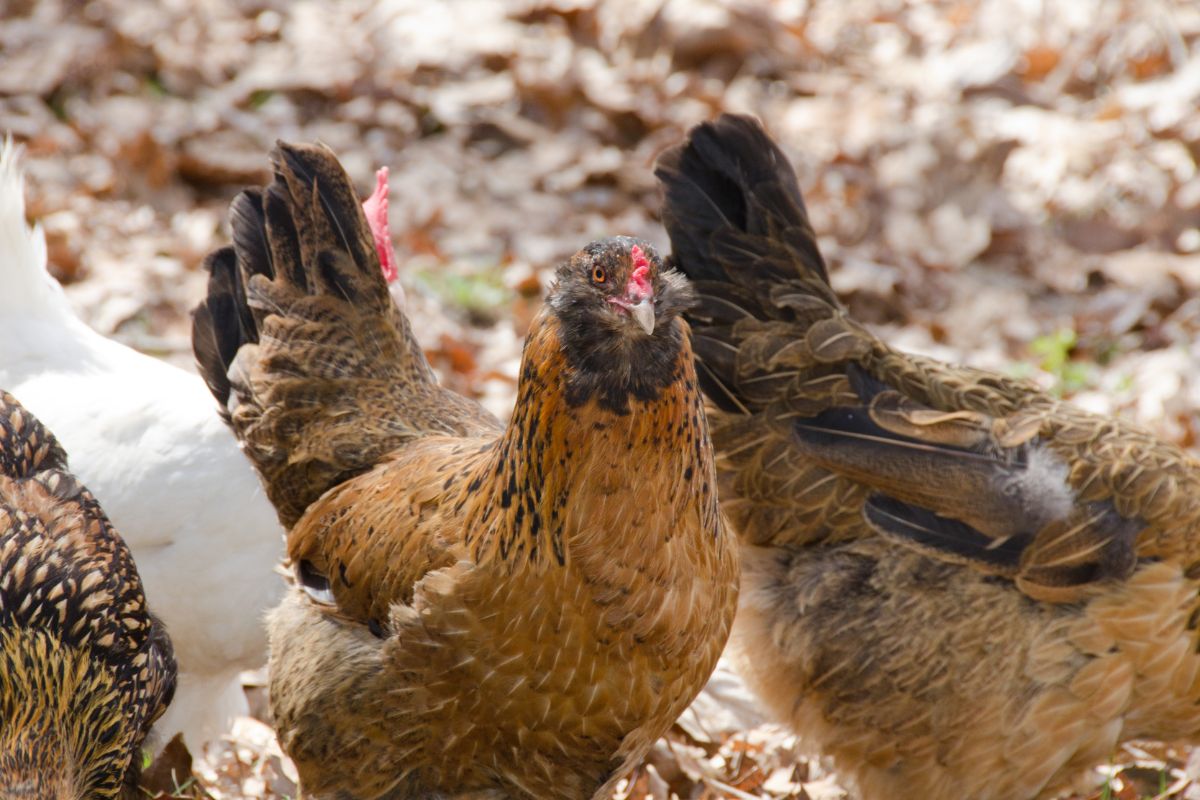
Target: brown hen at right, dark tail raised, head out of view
[(956, 585)]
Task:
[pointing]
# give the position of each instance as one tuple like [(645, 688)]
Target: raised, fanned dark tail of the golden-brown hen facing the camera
[(315, 368)]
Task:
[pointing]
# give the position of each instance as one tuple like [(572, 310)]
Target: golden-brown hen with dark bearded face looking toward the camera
[(478, 610)]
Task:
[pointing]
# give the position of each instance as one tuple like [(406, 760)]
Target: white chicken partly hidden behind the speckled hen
[(143, 436)]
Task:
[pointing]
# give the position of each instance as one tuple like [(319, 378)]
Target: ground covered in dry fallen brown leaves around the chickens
[(1005, 182)]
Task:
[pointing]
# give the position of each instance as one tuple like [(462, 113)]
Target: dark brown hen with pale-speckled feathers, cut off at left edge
[(85, 667)]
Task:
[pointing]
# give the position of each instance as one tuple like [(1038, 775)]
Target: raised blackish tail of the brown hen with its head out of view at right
[(741, 233)]
